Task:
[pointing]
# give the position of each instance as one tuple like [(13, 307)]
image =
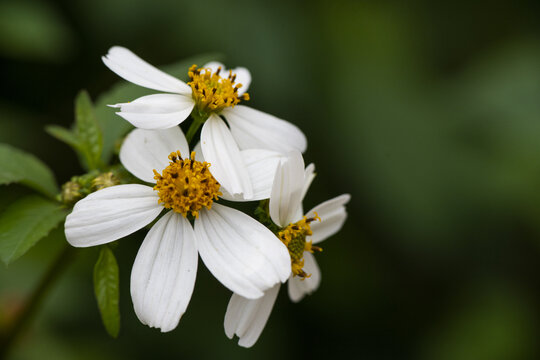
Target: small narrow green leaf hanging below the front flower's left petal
[(106, 288)]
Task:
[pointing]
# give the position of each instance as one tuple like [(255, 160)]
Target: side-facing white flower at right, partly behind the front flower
[(247, 317)]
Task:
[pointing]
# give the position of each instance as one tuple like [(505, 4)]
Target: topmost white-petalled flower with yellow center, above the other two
[(211, 92)]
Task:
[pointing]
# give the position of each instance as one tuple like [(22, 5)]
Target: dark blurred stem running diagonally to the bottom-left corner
[(15, 330)]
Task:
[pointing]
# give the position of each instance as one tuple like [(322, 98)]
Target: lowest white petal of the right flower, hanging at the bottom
[(247, 318)]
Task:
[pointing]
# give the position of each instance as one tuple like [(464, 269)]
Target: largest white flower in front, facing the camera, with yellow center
[(240, 252)]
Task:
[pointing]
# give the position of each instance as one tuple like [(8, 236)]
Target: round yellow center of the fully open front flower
[(186, 185)]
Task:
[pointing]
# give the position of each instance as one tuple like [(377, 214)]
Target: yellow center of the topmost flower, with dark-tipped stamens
[(213, 93)]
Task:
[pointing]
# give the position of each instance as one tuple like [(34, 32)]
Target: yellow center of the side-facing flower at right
[(294, 237)]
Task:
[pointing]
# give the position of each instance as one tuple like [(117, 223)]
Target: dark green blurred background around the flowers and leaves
[(428, 113)]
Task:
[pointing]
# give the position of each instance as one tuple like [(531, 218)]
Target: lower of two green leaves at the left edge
[(24, 222)]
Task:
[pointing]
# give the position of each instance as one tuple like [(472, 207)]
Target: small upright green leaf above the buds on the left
[(87, 131)]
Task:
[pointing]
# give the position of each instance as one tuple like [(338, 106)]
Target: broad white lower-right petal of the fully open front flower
[(240, 252)]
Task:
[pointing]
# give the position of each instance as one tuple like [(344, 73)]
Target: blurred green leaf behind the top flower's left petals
[(113, 126)]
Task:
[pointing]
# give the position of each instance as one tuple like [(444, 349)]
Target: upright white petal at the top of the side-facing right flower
[(287, 189)]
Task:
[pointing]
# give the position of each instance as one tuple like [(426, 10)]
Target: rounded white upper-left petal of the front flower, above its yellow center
[(146, 150)]
